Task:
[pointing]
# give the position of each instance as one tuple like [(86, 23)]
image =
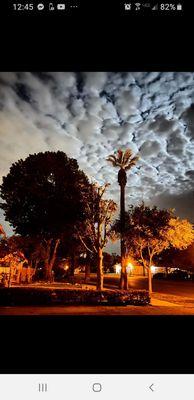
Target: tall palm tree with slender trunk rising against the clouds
[(125, 161)]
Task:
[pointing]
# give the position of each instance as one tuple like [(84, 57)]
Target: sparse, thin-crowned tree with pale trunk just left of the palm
[(94, 234)]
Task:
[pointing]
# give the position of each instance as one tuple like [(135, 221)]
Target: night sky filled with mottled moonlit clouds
[(91, 115)]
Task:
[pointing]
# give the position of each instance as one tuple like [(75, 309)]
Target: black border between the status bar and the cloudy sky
[(101, 44)]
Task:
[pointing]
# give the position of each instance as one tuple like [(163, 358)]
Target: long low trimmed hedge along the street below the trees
[(36, 296)]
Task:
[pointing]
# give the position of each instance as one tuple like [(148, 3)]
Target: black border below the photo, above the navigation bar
[(95, 344)]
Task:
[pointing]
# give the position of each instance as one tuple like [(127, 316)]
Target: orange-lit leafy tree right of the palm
[(149, 231)]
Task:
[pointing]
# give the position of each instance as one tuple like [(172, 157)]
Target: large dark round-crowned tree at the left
[(43, 195)]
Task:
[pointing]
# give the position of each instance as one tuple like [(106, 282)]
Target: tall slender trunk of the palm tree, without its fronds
[(123, 278)]
